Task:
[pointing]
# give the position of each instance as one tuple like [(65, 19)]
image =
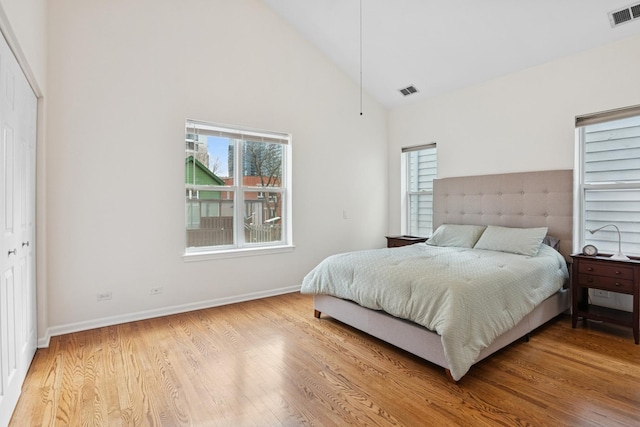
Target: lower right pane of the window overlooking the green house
[(263, 217)]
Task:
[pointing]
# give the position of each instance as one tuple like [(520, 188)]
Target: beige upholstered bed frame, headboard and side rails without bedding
[(528, 199)]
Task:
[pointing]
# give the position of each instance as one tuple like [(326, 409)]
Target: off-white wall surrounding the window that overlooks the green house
[(123, 76)]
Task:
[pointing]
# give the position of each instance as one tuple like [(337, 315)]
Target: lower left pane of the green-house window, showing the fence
[(210, 220)]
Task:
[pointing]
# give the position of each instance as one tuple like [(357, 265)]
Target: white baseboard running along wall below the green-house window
[(43, 342)]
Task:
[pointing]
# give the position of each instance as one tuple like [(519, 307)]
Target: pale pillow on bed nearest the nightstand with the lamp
[(523, 241)]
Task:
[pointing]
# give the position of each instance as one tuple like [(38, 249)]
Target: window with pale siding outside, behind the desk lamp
[(608, 179)]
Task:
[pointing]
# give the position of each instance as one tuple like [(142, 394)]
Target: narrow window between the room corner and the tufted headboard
[(419, 171)]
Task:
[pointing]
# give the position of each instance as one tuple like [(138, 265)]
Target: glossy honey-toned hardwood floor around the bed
[(270, 362)]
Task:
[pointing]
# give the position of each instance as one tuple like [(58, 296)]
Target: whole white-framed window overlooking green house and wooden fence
[(237, 185)]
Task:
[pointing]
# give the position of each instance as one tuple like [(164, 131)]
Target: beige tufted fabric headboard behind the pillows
[(526, 199)]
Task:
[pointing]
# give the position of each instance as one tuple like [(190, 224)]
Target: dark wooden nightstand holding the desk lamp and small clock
[(601, 272)]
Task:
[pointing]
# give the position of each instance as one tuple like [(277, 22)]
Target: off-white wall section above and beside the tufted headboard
[(520, 122)]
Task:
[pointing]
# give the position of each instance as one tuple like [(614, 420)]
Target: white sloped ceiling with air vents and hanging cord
[(443, 45)]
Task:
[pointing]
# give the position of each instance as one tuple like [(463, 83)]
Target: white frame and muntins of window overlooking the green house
[(240, 247)]
